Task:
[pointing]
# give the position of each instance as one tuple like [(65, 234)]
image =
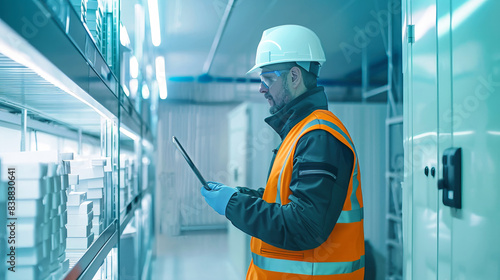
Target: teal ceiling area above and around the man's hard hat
[(191, 25)]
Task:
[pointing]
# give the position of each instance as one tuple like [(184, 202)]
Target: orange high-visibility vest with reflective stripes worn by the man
[(341, 256)]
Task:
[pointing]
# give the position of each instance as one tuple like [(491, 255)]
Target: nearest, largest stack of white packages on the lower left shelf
[(40, 233)]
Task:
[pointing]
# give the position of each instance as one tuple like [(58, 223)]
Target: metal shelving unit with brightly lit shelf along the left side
[(66, 87)]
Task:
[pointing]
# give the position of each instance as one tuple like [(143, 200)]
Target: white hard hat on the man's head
[(288, 43)]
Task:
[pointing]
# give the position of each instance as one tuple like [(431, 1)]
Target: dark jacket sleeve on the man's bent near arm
[(315, 203)]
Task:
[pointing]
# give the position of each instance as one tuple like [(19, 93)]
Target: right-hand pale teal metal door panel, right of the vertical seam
[(474, 250)]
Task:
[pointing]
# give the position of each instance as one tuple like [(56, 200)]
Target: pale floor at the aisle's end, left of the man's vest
[(193, 256)]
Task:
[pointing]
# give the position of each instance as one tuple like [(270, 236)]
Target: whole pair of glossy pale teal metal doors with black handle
[(452, 84)]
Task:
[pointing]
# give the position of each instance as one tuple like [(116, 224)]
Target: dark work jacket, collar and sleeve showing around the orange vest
[(316, 202)]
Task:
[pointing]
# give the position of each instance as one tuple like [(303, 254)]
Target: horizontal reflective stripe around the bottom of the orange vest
[(307, 268)]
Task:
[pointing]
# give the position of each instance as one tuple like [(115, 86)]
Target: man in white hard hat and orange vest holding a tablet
[(308, 221)]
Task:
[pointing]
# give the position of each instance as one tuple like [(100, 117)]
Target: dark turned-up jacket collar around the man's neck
[(298, 109)]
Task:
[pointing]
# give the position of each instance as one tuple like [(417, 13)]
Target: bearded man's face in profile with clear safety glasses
[(275, 88)]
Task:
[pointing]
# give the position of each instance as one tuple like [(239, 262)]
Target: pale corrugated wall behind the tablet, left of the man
[(202, 130)]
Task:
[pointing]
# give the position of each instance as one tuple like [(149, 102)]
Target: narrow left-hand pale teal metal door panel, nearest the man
[(421, 130)]
